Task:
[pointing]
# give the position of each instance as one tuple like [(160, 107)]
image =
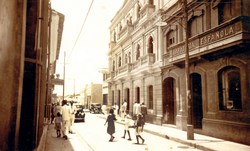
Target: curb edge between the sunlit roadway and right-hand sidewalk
[(170, 137)]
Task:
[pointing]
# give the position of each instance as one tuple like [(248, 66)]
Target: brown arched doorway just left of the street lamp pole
[(169, 107)]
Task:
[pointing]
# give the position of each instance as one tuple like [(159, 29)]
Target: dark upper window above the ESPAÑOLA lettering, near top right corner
[(226, 10)]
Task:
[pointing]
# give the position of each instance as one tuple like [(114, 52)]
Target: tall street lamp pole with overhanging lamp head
[(190, 128)]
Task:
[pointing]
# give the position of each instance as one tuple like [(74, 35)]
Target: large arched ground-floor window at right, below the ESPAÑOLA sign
[(229, 87)]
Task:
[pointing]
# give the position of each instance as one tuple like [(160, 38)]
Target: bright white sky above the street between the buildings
[(89, 54)]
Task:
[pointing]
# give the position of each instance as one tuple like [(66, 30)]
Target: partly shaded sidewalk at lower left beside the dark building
[(75, 142)]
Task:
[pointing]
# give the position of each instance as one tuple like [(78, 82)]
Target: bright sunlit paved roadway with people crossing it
[(94, 133)]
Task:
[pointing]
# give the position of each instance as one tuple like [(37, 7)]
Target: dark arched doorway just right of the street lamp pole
[(196, 93)]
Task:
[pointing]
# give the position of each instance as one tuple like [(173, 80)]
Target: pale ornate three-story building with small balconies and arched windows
[(135, 58)]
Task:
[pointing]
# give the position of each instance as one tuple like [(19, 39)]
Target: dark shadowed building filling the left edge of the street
[(24, 73)]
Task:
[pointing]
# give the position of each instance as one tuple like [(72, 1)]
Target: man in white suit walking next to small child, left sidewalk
[(65, 119)]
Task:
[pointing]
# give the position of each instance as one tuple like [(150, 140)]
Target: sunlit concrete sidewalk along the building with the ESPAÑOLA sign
[(201, 141)]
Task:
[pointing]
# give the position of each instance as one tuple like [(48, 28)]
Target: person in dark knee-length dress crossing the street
[(111, 125)]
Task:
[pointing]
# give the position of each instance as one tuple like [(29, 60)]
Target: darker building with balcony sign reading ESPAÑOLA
[(218, 42)]
